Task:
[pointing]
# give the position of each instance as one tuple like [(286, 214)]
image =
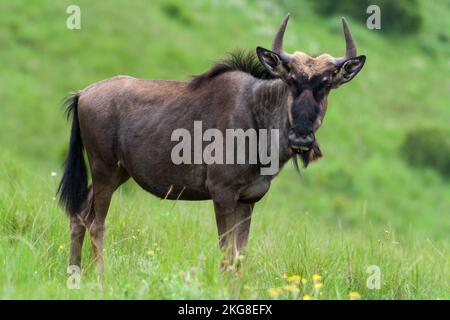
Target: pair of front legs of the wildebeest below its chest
[(233, 224)]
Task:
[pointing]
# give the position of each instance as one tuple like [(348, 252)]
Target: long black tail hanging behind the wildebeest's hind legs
[(73, 187)]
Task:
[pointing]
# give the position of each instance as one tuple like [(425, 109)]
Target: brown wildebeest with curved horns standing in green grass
[(125, 125)]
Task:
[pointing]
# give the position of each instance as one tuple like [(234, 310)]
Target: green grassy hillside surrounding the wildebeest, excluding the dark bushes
[(361, 205)]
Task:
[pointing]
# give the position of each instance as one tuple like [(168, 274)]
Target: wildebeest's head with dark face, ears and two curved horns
[(310, 80)]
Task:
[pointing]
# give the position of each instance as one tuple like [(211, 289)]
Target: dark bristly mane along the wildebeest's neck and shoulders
[(245, 61)]
